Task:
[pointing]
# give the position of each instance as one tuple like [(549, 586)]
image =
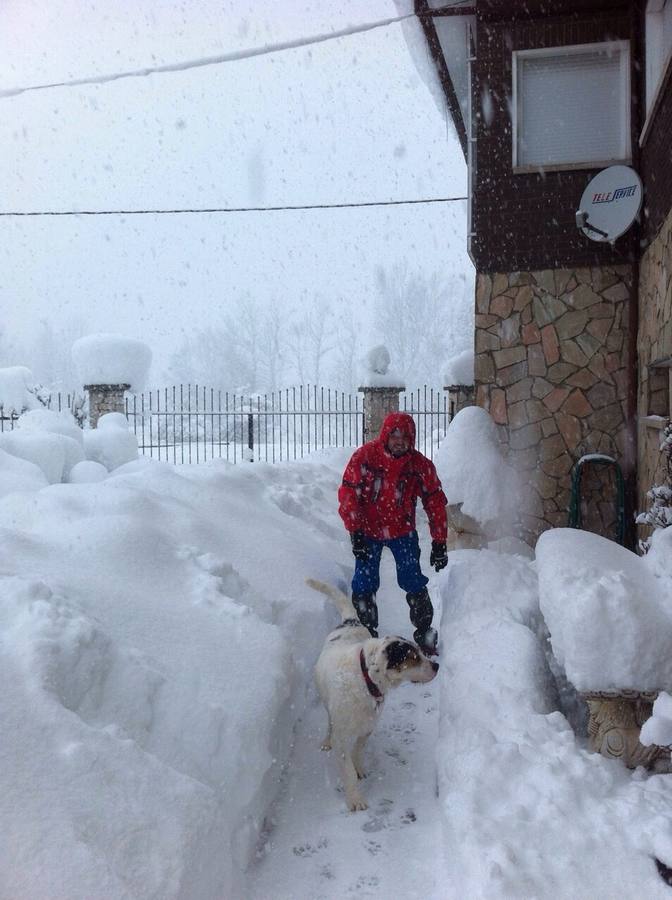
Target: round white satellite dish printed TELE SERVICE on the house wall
[(610, 203)]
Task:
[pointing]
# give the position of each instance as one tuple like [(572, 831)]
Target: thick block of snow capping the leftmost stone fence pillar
[(112, 359)]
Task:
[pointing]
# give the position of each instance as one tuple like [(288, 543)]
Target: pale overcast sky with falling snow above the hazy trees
[(342, 121)]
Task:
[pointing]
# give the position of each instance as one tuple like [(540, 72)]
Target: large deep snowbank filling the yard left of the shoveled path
[(156, 642)]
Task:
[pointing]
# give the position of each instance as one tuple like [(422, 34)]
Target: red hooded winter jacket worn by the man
[(379, 492)]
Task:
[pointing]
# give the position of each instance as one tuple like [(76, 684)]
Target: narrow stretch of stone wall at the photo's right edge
[(654, 342)]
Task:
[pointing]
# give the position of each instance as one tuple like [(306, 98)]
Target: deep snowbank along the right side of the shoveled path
[(529, 813)]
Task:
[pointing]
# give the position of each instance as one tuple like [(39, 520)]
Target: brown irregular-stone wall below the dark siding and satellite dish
[(552, 368)]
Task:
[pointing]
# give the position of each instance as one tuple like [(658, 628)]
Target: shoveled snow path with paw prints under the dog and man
[(315, 849)]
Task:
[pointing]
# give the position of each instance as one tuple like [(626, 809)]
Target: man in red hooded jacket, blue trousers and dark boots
[(377, 500)]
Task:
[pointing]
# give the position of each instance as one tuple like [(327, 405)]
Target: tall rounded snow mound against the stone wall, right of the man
[(473, 471)]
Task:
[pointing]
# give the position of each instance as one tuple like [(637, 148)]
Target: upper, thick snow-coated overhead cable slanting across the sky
[(233, 56)]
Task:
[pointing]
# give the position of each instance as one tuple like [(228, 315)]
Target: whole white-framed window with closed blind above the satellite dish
[(571, 106)]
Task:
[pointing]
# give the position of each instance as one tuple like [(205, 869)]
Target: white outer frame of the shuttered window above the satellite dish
[(622, 47)]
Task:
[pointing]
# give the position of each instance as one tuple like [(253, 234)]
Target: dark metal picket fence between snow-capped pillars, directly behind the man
[(194, 424)]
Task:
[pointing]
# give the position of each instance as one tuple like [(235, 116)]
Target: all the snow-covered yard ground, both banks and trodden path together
[(161, 730)]
